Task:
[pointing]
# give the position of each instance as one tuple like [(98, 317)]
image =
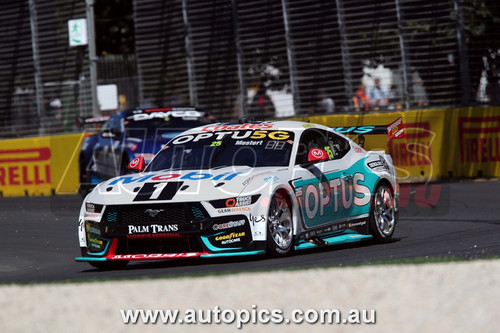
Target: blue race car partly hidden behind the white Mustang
[(130, 134)]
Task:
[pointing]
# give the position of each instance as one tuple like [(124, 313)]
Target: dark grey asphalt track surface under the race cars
[(38, 238)]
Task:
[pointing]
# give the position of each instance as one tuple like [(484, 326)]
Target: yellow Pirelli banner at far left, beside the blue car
[(39, 166)]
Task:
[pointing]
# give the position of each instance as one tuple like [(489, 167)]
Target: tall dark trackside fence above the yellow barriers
[(258, 59)]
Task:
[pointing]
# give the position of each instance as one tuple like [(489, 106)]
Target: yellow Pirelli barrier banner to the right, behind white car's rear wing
[(438, 143)]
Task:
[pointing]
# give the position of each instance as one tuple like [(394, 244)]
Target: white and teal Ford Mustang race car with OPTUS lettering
[(230, 189)]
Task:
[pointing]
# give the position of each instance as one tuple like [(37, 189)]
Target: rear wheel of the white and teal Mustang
[(383, 215)]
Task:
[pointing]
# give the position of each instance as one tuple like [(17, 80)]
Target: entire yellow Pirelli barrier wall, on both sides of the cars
[(437, 144)]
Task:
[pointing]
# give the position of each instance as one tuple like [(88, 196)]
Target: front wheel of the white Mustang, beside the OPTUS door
[(279, 226)]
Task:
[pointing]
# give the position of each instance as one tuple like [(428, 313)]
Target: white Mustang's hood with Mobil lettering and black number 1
[(183, 185)]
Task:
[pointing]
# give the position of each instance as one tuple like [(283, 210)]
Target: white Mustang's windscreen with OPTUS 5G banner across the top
[(226, 148)]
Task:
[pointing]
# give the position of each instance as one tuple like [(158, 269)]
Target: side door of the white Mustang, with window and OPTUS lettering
[(325, 186)]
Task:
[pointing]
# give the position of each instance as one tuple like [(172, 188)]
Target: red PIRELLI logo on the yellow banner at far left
[(25, 166)]
